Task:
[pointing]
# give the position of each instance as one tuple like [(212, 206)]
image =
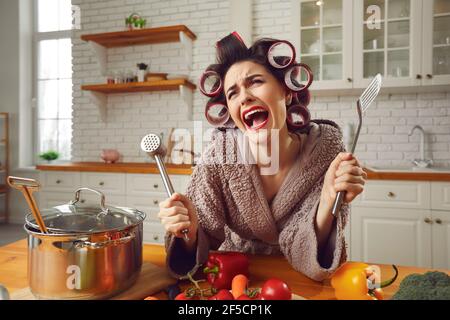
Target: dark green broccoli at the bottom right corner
[(432, 285)]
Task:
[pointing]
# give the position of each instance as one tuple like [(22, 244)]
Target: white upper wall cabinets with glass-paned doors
[(407, 41)]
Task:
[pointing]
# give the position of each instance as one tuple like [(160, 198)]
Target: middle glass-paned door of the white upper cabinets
[(387, 39)]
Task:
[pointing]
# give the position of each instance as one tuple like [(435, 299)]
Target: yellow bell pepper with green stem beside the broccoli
[(355, 281)]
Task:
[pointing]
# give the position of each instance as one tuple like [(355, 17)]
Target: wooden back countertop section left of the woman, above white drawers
[(122, 167)]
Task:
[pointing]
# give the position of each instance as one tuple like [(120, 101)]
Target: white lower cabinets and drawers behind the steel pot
[(139, 191)]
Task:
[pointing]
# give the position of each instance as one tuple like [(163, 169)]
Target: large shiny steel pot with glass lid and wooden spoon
[(90, 252)]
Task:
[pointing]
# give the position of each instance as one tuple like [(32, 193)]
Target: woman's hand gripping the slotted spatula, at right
[(344, 174)]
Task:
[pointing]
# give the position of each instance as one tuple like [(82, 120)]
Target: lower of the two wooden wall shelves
[(162, 85)]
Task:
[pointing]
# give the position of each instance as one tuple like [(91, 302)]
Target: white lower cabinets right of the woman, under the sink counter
[(402, 222)]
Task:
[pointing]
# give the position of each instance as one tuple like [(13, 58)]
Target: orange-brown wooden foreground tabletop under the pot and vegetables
[(13, 272)]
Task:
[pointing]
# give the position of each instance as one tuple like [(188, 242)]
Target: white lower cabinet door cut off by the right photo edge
[(441, 239)]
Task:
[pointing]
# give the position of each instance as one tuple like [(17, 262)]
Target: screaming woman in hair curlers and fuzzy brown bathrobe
[(234, 206)]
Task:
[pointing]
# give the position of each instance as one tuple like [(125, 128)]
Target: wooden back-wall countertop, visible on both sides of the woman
[(135, 167)]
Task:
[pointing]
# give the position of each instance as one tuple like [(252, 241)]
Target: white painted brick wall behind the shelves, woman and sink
[(384, 137)]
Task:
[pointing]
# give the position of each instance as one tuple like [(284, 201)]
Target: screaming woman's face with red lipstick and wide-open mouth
[(256, 100)]
